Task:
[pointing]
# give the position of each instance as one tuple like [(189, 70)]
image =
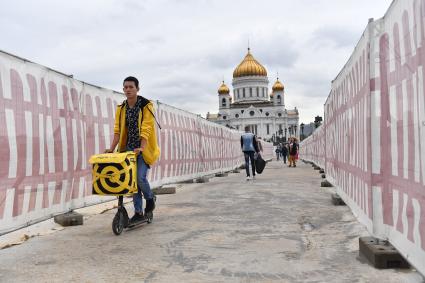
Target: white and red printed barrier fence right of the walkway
[(374, 130)]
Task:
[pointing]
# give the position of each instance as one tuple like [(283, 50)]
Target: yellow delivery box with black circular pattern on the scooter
[(114, 173)]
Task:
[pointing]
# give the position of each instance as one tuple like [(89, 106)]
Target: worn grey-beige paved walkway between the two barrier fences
[(281, 227)]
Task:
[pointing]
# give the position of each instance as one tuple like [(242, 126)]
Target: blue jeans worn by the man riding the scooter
[(142, 184)]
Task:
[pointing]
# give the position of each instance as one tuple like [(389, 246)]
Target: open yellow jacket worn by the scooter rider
[(146, 130)]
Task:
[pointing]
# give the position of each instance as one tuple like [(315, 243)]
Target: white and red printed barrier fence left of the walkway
[(52, 124)]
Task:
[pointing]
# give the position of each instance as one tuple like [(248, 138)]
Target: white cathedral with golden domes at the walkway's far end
[(252, 105)]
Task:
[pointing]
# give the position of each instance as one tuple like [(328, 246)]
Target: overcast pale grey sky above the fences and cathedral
[(182, 50)]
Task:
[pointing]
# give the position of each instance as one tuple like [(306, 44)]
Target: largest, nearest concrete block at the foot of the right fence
[(381, 253)]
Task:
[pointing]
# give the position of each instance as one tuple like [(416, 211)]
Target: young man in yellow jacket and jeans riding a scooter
[(134, 130)]
